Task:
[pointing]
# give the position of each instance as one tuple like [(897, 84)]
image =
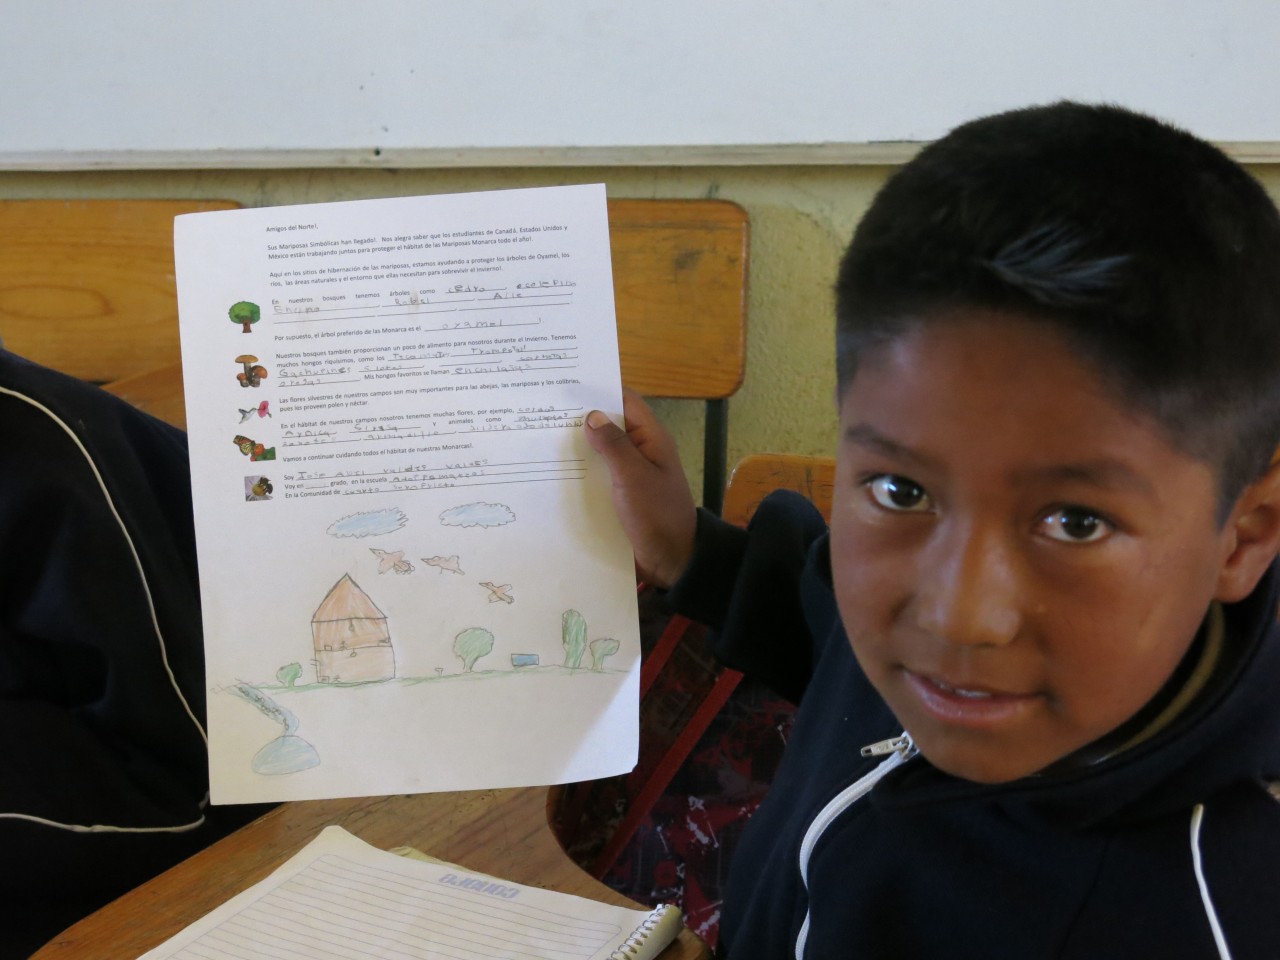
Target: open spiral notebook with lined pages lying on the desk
[(342, 898)]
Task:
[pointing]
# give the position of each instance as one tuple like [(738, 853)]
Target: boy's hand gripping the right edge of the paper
[(650, 490)]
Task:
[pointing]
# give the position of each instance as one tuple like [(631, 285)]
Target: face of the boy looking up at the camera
[(1020, 560)]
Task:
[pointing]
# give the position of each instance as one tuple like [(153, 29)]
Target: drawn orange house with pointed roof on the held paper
[(354, 644)]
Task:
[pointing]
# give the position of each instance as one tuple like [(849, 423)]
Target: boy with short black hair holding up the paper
[(1050, 564)]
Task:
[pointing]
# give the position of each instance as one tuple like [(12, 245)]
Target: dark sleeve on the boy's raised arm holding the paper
[(749, 587)]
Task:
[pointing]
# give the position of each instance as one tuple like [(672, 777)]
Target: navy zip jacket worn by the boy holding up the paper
[(1091, 862)]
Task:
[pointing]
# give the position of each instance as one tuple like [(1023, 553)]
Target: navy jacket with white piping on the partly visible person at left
[(103, 761)]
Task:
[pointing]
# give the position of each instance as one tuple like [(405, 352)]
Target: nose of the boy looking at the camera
[(968, 591)]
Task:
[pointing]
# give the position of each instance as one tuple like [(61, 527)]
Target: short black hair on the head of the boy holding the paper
[(1155, 254)]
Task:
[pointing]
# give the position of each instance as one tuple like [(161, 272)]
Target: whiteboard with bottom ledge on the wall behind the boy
[(459, 83)]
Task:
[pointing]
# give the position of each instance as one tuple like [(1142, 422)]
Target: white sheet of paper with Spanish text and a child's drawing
[(412, 574)]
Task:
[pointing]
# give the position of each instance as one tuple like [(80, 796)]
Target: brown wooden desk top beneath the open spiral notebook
[(504, 833)]
